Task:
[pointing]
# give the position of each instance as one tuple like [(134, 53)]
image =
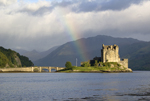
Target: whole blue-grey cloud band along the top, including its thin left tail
[(86, 6)]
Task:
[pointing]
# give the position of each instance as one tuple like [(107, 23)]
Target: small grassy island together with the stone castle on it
[(109, 62)]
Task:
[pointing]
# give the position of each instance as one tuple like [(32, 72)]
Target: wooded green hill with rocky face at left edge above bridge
[(10, 58)]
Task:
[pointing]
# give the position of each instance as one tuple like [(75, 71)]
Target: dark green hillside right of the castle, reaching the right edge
[(138, 55)]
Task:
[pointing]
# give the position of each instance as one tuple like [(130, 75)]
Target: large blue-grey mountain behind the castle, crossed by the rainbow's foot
[(89, 48)]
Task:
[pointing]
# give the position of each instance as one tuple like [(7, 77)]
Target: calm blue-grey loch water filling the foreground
[(75, 86)]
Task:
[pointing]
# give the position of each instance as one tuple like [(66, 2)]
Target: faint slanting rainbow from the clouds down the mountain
[(73, 33)]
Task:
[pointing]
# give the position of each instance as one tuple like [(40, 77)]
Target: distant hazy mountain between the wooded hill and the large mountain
[(35, 55)]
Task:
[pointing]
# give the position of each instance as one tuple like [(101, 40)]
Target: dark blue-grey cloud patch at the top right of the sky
[(98, 5)]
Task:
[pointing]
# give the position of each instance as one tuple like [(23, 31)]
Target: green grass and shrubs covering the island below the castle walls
[(98, 67)]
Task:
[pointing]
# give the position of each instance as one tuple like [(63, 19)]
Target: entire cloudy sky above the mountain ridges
[(43, 24)]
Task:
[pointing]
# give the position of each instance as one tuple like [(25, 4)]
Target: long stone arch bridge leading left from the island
[(29, 69)]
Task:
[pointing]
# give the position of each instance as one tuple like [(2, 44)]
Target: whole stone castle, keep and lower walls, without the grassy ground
[(109, 53)]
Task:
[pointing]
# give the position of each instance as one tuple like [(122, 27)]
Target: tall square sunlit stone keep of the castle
[(110, 53)]
